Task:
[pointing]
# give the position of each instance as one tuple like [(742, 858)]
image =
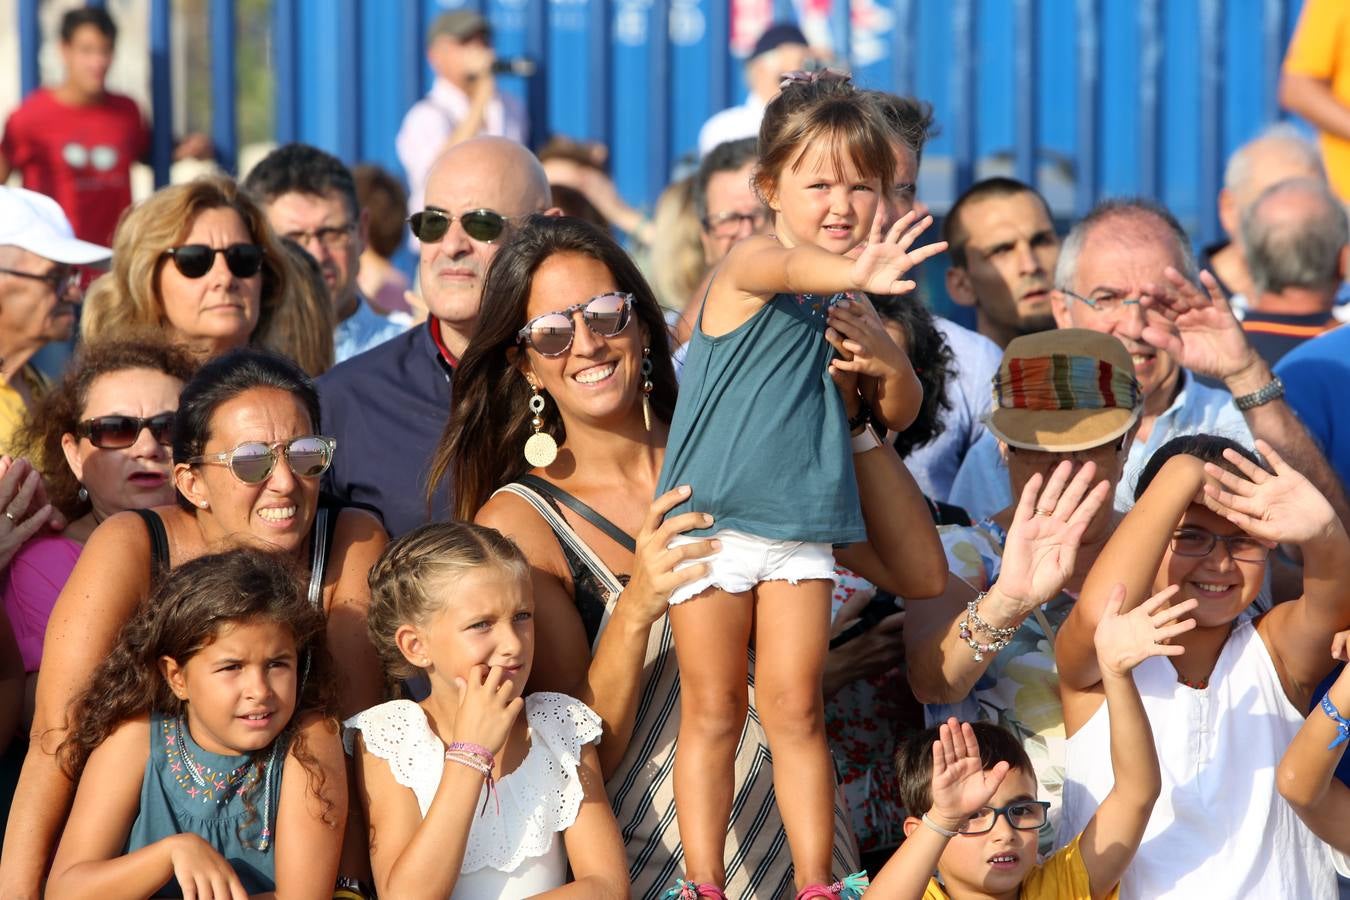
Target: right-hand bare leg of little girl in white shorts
[(792, 638)]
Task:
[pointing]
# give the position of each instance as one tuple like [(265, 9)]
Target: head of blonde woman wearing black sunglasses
[(198, 261)]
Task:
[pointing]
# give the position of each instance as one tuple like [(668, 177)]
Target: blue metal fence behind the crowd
[(1124, 96)]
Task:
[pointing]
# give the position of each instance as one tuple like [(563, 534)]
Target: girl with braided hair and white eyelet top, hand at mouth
[(464, 794)]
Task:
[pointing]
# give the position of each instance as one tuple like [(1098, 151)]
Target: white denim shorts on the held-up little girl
[(746, 561)]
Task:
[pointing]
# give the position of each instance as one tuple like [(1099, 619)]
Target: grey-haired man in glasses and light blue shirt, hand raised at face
[(1128, 271)]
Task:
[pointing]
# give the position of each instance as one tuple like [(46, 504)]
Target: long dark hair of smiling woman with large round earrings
[(489, 422)]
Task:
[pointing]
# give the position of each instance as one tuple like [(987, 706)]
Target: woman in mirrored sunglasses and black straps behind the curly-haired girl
[(248, 455)]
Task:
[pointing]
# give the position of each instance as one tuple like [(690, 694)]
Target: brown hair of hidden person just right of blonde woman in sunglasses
[(303, 325)]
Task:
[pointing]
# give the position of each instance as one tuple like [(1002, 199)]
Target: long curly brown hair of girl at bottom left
[(188, 612)]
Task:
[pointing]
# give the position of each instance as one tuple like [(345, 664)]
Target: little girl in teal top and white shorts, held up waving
[(762, 437)]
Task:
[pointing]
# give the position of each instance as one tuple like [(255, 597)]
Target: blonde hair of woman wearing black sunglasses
[(128, 298)]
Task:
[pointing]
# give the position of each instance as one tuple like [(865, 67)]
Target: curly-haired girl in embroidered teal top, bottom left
[(207, 760)]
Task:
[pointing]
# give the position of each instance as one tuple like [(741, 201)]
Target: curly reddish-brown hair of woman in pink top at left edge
[(60, 411)]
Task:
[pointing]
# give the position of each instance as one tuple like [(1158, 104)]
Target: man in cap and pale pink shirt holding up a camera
[(464, 103)]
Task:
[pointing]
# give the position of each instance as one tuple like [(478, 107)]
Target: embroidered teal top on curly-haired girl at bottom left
[(172, 802)]
